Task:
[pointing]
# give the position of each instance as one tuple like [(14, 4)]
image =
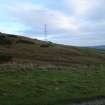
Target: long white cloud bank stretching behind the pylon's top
[(36, 16)]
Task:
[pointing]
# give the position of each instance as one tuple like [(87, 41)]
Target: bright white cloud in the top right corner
[(90, 9)]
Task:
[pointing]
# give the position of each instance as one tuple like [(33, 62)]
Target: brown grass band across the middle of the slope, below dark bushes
[(57, 55)]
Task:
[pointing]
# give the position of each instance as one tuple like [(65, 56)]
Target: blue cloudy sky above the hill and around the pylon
[(69, 22)]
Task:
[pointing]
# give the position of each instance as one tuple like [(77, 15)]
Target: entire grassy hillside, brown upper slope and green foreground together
[(34, 72)]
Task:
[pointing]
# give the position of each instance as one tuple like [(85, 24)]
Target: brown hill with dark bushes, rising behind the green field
[(19, 49)]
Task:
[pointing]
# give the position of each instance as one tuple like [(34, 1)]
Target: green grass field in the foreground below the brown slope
[(29, 85)]
